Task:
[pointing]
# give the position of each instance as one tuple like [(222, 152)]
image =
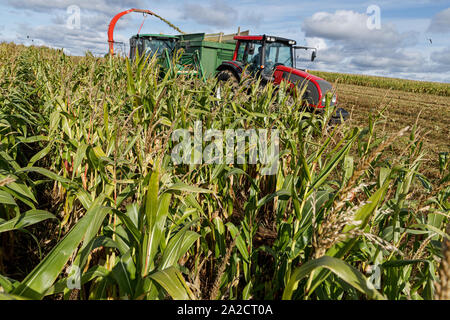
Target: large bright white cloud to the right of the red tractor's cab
[(349, 46)]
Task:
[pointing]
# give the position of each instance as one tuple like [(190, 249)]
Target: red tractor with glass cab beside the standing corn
[(272, 59)]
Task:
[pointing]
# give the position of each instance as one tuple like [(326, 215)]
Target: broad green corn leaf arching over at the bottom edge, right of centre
[(343, 270)]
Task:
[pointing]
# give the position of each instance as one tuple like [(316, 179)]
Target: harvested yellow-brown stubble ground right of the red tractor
[(430, 112)]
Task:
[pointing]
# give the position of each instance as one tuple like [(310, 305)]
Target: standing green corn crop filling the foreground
[(92, 207)]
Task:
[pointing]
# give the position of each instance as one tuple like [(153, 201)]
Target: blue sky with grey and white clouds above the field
[(402, 39)]
